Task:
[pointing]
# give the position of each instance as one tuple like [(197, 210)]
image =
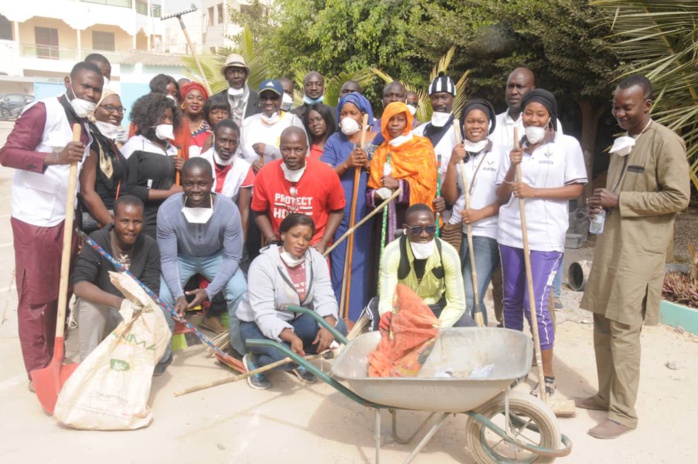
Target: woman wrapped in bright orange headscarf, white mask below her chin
[(402, 160)]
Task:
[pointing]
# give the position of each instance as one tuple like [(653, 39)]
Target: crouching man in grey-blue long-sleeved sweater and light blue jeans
[(199, 232)]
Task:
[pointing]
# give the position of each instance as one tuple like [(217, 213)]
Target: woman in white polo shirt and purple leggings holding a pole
[(553, 172)]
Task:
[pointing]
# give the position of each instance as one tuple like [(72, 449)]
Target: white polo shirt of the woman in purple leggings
[(551, 165)]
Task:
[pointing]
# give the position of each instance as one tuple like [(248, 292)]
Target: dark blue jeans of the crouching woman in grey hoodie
[(304, 326)]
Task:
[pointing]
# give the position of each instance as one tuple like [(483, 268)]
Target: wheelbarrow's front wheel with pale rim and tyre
[(530, 421)]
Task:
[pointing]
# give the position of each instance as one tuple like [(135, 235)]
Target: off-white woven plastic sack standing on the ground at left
[(109, 390)]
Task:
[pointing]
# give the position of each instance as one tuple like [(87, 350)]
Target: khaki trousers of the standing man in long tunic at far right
[(617, 348)]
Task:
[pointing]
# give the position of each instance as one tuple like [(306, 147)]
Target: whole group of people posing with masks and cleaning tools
[(238, 196)]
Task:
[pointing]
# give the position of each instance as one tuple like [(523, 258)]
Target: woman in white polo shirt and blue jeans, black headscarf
[(481, 160)]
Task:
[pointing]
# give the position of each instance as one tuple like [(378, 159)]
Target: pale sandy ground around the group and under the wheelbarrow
[(297, 424)]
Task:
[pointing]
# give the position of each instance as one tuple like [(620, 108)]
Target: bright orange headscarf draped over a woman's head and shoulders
[(413, 160)]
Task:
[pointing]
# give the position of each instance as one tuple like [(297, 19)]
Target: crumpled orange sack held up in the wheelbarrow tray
[(408, 334)]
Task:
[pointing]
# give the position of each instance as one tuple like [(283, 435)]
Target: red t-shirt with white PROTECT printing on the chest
[(318, 192)]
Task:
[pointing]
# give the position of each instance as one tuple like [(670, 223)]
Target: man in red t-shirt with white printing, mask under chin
[(296, 184)]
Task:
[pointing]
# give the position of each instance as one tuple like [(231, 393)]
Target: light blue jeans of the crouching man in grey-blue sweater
[(208, 267)]
